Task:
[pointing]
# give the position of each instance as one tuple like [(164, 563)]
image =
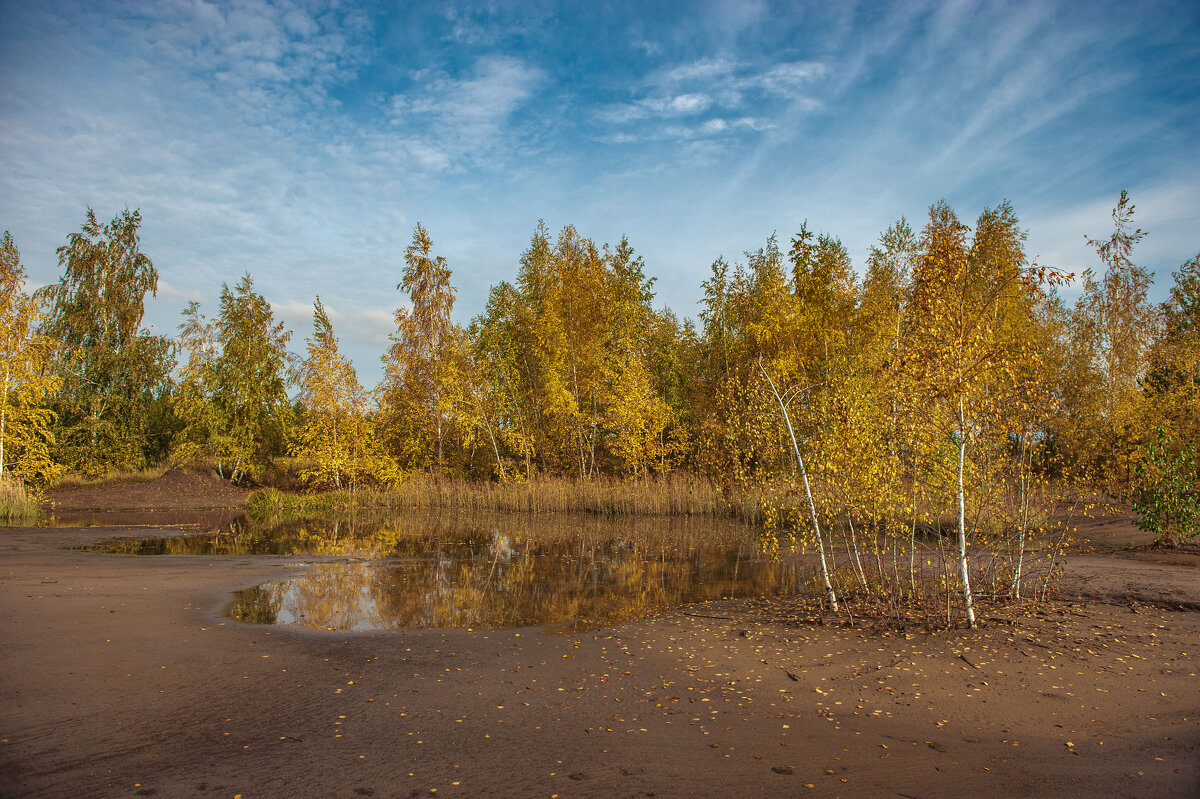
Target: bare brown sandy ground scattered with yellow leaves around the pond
[(121, 677)]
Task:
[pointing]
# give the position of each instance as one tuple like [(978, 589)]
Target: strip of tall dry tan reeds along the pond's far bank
[(675, 496)]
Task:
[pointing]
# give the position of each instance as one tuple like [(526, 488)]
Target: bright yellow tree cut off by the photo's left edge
[(27, 435)]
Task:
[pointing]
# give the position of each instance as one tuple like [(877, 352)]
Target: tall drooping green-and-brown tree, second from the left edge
[(116, 376)]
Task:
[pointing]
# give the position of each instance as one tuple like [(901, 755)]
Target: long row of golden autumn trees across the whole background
[(951, 358)]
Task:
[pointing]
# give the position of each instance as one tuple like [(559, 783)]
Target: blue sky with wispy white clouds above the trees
[(303, 142)]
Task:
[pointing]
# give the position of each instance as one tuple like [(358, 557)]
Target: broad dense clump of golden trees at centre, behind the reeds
[(578, 361)]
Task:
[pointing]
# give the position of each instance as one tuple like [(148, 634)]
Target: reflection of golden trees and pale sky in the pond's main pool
[(513, 584)]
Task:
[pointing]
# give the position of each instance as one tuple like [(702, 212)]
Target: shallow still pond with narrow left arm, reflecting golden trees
[(489, 573)]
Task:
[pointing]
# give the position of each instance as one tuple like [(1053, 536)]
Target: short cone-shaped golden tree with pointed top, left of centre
[(338, 438)]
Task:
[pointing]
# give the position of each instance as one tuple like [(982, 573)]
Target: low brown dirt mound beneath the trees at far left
[(176, 490)]
